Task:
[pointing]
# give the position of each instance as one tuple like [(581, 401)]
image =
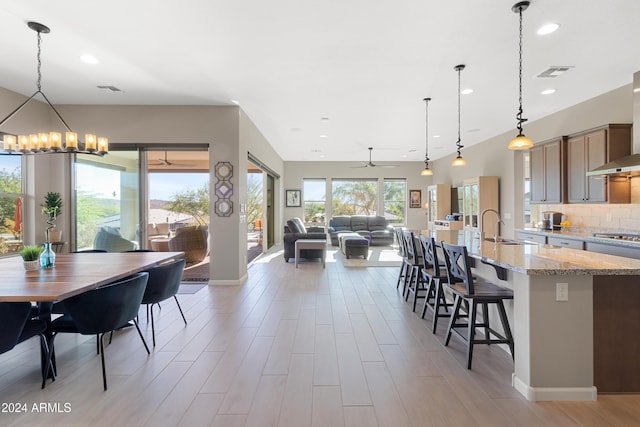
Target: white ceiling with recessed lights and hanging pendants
[(364, 65)]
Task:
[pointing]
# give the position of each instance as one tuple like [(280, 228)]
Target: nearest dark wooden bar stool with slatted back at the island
[(474, 293)]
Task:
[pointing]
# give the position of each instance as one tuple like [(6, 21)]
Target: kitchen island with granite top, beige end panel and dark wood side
[(571, 315)]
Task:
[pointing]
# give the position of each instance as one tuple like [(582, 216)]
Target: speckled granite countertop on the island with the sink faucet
[(536, 259)]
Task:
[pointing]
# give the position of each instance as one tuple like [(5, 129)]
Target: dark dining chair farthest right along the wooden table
[(164, 281)]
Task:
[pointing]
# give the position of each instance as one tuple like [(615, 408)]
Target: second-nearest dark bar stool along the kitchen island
[(435, 274)]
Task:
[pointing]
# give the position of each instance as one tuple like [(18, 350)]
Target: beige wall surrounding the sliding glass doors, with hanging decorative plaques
[(229, 133)]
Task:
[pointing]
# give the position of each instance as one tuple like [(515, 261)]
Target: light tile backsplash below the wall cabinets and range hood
[(617, 217)]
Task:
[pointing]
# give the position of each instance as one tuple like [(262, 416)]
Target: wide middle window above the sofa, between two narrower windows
[(354, 197)]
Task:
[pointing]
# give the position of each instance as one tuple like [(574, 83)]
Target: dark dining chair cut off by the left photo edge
[(16, 326)]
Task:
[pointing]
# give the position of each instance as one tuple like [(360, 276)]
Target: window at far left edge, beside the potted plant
[(11, 197)]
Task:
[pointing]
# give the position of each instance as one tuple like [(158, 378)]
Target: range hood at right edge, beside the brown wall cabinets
[(627, 166)]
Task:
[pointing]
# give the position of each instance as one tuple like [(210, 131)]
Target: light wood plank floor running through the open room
[(290, 347)]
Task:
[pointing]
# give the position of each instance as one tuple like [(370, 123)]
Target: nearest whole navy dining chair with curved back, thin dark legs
[(102, 310)]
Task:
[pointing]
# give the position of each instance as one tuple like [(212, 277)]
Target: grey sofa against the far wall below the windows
[(374, 228)]
